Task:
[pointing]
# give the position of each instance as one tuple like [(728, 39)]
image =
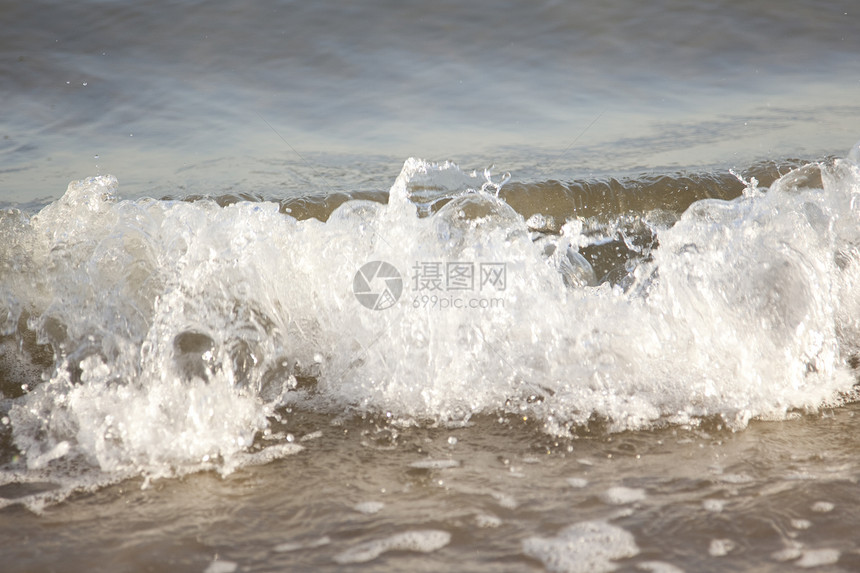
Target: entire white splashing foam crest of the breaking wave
[(185, 325)]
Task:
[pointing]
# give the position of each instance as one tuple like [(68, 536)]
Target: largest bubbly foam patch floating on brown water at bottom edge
[(589, 546)]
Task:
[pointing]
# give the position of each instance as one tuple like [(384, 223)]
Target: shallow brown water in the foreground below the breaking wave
[(778, 493)]
